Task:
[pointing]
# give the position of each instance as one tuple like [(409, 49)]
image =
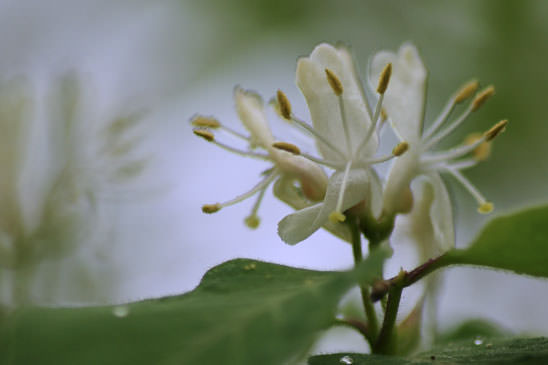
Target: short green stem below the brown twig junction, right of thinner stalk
[(386, 342)]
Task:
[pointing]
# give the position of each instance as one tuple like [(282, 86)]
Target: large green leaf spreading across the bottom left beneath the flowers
[(243, 312)]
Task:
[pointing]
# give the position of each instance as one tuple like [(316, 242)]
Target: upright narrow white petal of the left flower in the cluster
[(250, 109)]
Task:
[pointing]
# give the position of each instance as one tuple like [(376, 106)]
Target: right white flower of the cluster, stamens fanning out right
[(404, 103)]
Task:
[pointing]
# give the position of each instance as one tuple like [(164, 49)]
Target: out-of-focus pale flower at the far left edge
[(56, 160)]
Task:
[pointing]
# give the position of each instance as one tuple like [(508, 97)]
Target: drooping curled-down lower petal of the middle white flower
[(300, 225)]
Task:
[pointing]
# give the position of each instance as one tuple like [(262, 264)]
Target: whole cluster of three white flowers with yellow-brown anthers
[(346, 127)]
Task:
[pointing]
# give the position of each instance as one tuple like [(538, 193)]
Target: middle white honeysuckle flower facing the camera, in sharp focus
[(344, 128)]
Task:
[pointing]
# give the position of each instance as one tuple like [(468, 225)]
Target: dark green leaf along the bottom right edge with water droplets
[(519, 351)]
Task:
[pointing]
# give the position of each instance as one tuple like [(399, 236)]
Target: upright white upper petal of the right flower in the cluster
[(404, 98)]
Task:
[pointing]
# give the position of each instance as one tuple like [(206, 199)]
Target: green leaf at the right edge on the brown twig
[(516, 242)]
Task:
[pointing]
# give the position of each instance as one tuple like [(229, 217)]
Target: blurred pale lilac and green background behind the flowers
[(172, 59)]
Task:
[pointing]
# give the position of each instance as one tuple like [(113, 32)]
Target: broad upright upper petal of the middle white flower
[(324, 104)]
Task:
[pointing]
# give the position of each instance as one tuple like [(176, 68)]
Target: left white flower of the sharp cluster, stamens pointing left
[(287, 166)]
